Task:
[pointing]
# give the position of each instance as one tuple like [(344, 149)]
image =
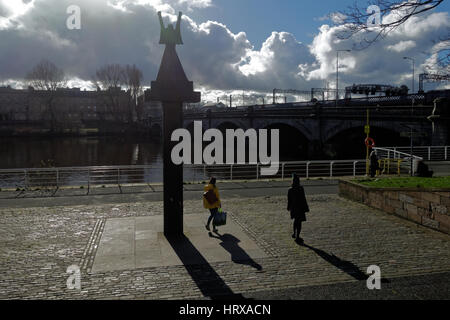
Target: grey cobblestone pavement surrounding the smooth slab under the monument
[(342, 239)]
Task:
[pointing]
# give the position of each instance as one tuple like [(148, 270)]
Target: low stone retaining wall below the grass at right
[(430, 208)]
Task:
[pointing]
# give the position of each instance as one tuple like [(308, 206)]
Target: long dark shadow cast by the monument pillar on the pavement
[(208, 281)]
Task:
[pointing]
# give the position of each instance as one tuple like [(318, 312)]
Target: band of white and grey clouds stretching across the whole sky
[(127, 32)]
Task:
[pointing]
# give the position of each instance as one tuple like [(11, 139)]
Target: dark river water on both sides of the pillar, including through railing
[(22, 152)]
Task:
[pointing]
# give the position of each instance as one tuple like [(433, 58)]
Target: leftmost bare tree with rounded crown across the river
[(48, 78)]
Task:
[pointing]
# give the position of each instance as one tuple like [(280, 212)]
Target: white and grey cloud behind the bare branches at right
[(382, 61)]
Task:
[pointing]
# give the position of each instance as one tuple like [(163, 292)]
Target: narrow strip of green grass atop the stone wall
[(406, 182)]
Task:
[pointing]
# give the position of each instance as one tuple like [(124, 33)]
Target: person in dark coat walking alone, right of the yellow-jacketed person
[(297, 206)]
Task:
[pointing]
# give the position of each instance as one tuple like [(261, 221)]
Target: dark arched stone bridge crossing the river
[(317, 130)]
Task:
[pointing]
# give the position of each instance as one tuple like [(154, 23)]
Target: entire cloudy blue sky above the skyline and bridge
[(229, 45)]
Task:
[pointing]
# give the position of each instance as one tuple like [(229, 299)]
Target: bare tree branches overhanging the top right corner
[(355, 21)]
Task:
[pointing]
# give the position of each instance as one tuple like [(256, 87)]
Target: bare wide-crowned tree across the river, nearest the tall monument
[(114, 77)]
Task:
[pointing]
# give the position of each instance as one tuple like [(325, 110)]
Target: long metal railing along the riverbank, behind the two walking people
[(88, 177)]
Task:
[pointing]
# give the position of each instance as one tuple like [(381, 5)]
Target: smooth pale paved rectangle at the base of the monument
[(139, 242)]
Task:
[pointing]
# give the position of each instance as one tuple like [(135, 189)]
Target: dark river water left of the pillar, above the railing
[(20, 152)]
